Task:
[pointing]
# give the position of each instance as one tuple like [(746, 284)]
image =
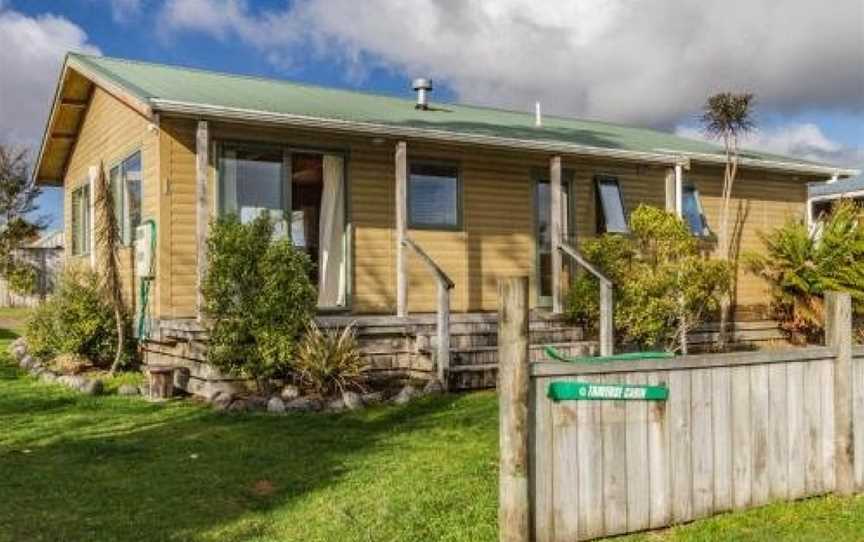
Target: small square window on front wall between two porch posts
[(433, 197)]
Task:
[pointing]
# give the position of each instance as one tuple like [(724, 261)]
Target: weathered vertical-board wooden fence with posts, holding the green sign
[(737, 431)]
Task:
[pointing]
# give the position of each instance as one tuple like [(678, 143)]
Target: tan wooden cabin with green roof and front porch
[(404, 206)]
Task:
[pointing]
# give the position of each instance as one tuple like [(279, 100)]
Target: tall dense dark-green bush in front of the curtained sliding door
[(258, 296)]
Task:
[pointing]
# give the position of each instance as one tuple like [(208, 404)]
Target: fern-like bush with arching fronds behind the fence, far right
[(801, 267)]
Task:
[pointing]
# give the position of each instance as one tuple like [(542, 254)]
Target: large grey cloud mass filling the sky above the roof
[(636, 61)]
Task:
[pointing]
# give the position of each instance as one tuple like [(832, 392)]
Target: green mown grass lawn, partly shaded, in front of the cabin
[(115, 468)]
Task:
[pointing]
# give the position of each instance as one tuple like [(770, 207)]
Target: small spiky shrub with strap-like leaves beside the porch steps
[(329, 360)]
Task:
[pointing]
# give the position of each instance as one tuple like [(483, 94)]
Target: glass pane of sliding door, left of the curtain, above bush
[(252, 182)]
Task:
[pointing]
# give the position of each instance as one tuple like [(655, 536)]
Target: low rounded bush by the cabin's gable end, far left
[(77, 320)]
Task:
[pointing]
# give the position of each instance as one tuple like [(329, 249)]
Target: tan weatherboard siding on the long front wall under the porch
[(497, 239)]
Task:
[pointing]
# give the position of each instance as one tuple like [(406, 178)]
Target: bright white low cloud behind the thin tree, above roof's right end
[(803, 140)]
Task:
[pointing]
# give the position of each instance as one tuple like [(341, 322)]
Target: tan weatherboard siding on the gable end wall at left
[(111, 132)]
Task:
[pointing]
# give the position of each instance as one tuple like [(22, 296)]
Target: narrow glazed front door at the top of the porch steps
[(543, 237)]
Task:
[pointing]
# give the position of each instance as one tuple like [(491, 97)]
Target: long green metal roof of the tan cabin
[(172, 89)]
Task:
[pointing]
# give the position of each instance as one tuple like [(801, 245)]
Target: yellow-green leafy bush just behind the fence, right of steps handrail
[(663, 286)]
